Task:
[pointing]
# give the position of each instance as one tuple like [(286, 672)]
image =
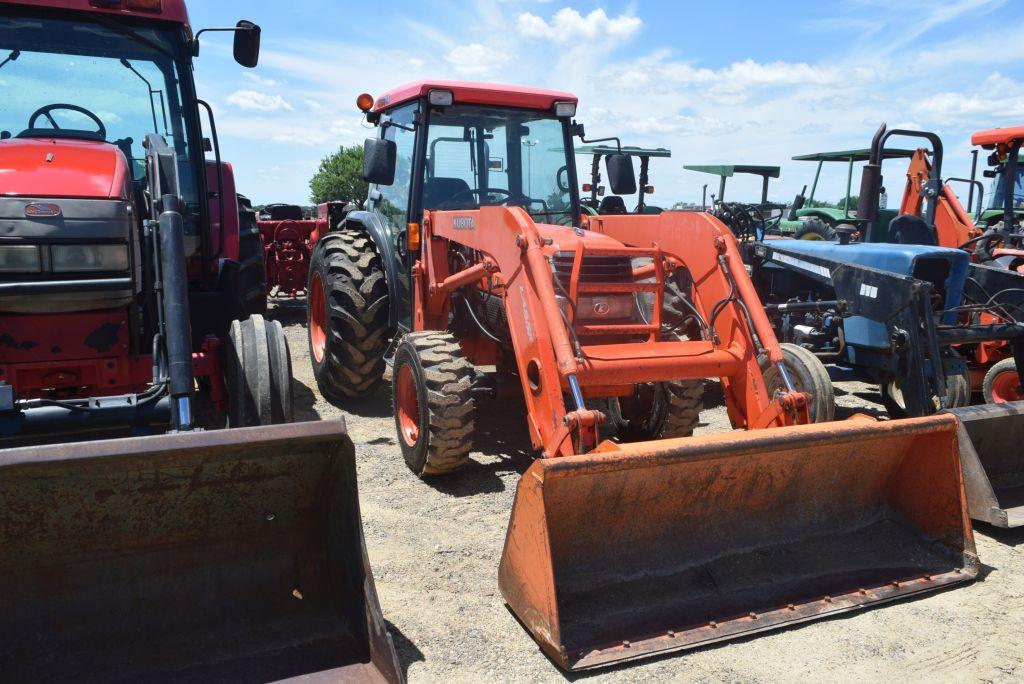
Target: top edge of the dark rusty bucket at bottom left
[(287, 435)]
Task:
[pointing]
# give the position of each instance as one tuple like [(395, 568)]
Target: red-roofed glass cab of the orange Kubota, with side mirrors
[(447, 146)]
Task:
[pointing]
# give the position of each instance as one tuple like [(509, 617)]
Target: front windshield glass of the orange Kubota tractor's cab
[(481, 156)]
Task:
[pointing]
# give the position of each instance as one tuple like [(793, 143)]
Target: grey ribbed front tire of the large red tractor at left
[(259, 374)]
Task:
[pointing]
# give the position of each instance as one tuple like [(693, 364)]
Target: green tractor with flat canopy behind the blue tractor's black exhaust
[(807, 222)]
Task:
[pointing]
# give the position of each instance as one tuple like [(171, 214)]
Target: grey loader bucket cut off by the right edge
[(991, 440)]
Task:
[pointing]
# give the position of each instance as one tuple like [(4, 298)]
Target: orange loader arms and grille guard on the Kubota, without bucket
[(554, 356)]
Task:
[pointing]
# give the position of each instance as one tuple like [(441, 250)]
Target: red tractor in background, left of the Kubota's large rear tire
[(289, 239)]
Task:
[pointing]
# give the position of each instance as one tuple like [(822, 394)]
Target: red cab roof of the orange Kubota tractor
[(467, 93)]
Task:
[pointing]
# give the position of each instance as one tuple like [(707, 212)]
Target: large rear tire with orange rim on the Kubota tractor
[(348, 316)]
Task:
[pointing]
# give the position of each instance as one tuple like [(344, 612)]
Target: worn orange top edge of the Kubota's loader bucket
[(740, 445)]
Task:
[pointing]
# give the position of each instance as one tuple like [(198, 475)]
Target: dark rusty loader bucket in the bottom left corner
[(235, 555)]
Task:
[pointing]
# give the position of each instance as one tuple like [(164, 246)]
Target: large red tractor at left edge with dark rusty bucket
[(224, 555)]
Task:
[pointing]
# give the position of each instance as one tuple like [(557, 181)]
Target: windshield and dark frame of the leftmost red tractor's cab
[(125, 74)]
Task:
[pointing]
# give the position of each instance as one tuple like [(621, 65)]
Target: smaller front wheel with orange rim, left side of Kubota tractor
[(434, 403)]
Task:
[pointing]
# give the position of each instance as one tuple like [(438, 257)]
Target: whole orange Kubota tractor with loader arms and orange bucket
[(473, 255)]
